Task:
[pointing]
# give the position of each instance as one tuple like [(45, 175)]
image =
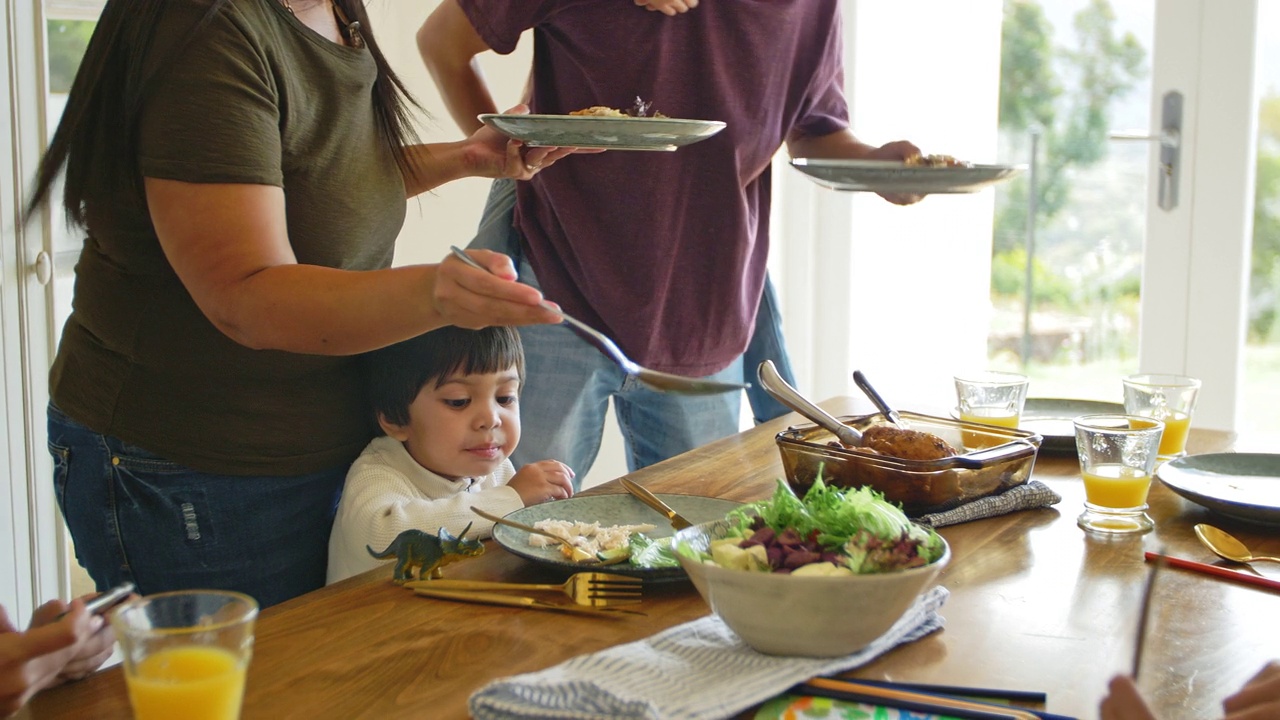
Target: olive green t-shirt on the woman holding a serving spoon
[(258, 98)]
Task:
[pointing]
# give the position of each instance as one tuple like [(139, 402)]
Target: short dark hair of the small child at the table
[(397, 373)]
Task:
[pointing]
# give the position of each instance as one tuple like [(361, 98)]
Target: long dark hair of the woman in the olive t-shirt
[(97, 140)]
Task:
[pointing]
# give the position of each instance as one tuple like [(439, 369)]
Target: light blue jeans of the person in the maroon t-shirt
[(569, 385)]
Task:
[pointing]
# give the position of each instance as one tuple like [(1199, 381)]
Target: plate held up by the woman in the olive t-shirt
[(605, 133)]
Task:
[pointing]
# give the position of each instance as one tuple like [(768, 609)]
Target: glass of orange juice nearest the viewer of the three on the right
[(1118, 458)]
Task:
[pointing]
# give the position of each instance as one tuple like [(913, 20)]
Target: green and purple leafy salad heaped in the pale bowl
[(828, 532)]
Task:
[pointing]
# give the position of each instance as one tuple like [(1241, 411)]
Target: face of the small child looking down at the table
[(464, 429)]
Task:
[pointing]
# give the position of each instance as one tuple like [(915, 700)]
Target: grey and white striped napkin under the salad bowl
[(697, 671)]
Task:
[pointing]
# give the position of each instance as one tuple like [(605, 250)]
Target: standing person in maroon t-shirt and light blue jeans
[(664, 252)]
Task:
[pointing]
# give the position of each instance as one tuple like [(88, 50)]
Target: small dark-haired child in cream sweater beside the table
[(449, 403)]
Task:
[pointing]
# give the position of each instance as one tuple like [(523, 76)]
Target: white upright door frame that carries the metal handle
[(1196, 267)]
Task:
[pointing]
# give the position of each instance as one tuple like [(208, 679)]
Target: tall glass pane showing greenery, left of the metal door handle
[(1066, 288)]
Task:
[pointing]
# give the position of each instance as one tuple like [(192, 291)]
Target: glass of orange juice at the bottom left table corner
[(186, 654)]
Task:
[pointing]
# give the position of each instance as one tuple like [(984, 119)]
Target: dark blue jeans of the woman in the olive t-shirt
[(138, 517)]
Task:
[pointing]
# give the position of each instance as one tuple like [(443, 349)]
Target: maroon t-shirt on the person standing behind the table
[(666, 252)]
